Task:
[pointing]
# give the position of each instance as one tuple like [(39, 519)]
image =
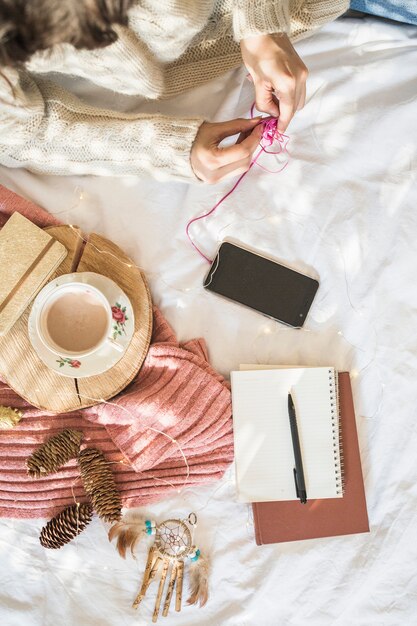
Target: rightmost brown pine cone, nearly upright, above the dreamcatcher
[(99, 484)]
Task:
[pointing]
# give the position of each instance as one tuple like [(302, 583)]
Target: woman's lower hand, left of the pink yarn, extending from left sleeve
[(212, 163)]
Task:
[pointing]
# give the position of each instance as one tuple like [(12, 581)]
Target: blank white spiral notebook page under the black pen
[(263, 446)]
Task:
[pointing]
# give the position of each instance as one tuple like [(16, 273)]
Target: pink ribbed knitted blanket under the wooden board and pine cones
[(176, 393)]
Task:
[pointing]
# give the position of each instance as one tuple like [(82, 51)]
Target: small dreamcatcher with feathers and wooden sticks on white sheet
[(172, 548)]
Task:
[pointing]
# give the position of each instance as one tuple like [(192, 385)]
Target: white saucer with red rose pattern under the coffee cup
[(104, 358)]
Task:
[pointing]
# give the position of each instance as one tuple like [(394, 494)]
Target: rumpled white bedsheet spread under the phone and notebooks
[(345, 210)]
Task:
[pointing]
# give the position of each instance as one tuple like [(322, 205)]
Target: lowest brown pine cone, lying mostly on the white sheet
[(66, 525)]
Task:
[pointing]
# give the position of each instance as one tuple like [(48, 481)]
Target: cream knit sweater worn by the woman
[(169, 47)]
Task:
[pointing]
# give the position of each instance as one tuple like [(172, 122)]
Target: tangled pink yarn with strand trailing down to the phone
[(270, 135)]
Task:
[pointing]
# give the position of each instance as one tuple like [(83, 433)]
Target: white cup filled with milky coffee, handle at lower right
[(75, 320)]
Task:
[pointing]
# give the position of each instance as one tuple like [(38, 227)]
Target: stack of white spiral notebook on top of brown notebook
[(329, 447)]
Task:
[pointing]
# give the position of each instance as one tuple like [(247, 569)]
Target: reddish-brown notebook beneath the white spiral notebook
[(276, 522)]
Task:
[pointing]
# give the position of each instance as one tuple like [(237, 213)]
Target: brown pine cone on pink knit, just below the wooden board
[(55, 452)]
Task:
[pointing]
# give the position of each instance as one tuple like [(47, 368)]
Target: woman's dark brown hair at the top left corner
[(28, 26)]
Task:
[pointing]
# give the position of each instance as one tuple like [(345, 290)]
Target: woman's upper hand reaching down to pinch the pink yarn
[(275, 67)]
